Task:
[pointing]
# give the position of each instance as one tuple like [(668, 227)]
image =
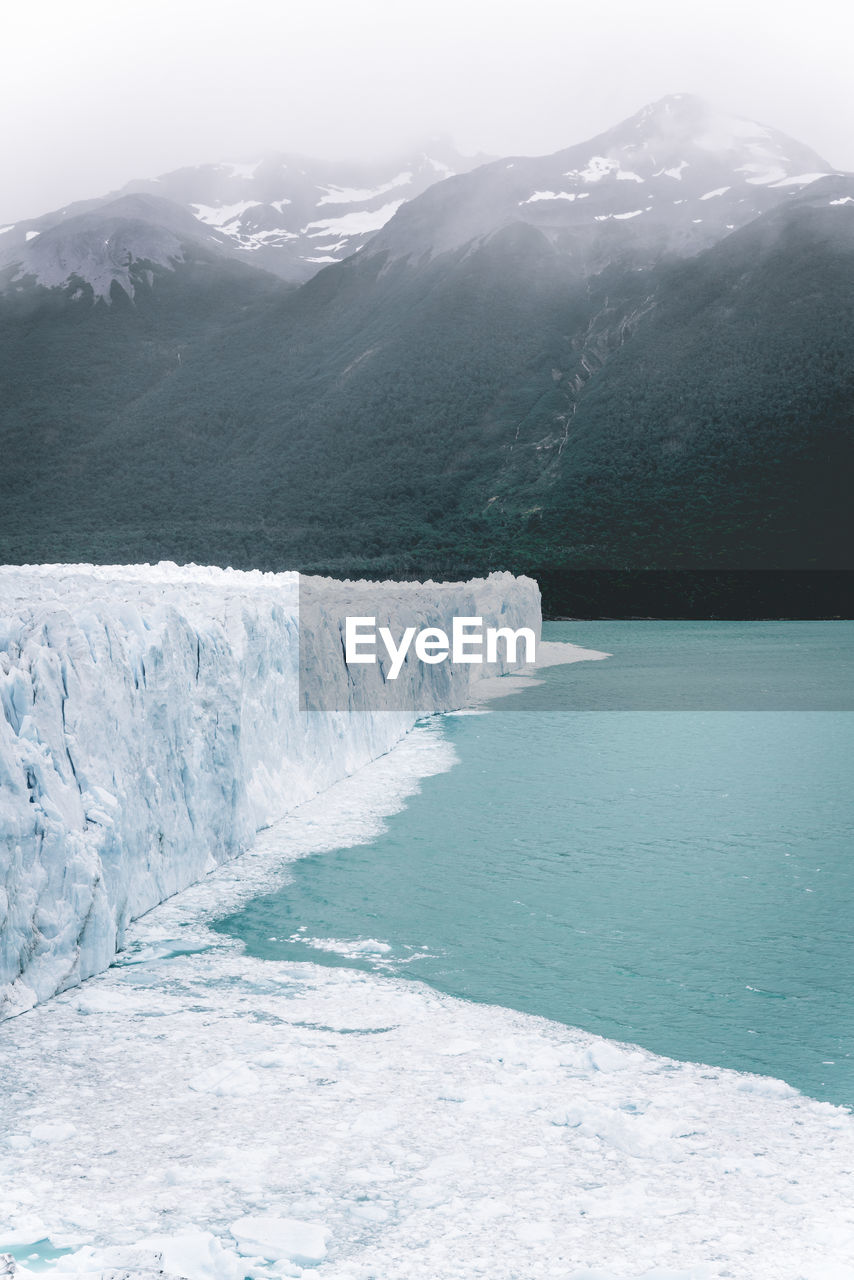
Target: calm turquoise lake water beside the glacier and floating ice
[(683, 879)]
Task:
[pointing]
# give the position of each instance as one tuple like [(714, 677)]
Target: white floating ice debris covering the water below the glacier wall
[(197, 1113)]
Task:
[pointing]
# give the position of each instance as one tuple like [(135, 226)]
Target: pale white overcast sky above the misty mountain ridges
[(95, 93)]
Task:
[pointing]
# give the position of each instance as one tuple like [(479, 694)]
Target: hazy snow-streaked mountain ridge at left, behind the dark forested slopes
[(285, 214)]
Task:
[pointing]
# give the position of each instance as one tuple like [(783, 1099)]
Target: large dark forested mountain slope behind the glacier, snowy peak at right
[(492, 382)]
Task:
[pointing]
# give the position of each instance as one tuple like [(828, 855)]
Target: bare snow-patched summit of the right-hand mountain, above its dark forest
[(677, 177)]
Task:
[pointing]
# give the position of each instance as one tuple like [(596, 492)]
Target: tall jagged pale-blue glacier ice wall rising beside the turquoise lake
[(152, 725)]
